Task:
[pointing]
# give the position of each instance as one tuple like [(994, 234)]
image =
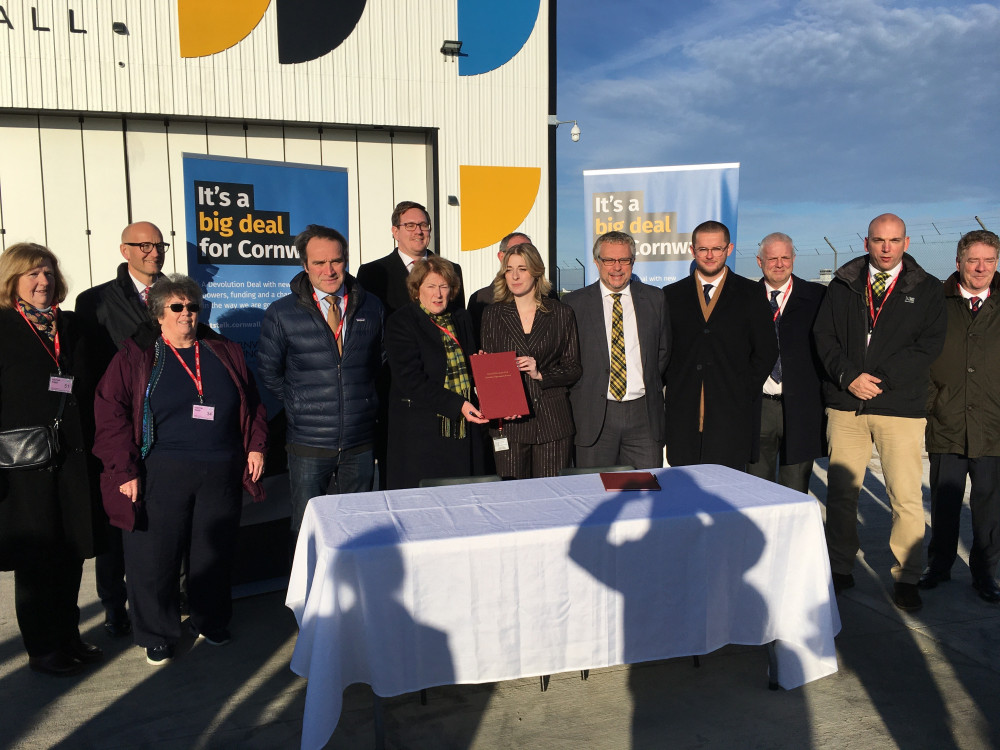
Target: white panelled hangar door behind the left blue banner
[(70, 182)]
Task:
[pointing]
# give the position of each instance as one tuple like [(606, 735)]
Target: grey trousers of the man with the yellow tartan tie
[(625, 439)]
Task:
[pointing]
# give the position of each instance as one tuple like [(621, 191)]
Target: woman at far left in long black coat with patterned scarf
[(49, 515)]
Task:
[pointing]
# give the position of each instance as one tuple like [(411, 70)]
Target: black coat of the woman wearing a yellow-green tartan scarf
[(417, 450)]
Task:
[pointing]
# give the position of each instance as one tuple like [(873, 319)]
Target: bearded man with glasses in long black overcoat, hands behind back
[(724, 347)]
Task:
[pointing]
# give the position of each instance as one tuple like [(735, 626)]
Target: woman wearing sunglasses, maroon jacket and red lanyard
[(181, 432)]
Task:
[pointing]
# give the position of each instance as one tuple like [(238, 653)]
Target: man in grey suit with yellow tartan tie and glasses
[(618, 401)]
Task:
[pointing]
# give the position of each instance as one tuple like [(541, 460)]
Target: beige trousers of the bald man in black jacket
[(899, 442)]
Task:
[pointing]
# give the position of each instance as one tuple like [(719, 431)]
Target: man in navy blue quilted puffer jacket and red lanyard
[(320, 351)]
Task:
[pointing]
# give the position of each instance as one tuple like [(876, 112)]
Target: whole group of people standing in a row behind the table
[(162, 421)]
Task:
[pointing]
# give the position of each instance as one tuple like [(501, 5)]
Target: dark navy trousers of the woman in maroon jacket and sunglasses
[(189, 506)]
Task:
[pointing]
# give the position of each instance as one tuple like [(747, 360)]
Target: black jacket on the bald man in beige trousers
[(908, 337)]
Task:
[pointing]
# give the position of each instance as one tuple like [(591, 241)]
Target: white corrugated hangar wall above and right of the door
[(389, 72)]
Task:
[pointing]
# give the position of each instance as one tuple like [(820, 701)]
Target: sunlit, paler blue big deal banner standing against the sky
[(659, 206)]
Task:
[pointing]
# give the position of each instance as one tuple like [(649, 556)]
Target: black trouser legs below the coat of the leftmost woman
[(45, 599)]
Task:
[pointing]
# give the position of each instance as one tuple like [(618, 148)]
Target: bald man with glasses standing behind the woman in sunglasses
[(113, 312)]
